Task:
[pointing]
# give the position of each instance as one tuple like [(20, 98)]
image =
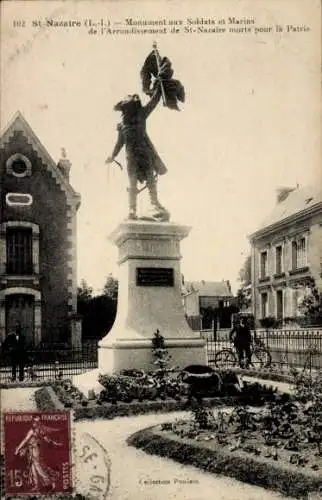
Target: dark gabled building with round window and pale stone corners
[(38, 288)]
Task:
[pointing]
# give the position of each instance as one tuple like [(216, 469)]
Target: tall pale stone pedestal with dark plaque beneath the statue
[(149, 298)]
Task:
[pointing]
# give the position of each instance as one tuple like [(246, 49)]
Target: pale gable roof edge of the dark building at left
[(19, 123)]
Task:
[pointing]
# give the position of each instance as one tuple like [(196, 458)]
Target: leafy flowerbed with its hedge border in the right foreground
[(278, 445)]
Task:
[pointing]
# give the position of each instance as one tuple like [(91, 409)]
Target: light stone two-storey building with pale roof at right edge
[(286, 252)]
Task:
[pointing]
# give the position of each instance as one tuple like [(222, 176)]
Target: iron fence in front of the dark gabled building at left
[(55, 363)]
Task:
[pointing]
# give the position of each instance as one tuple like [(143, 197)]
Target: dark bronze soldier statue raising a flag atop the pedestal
[(143, 162)]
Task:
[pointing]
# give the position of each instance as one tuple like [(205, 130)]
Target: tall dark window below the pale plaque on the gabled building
[(19, 251)]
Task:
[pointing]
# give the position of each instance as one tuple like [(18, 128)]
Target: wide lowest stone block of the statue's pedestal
[(137, 354)]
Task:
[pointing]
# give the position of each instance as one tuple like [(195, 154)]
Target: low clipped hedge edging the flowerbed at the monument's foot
[(46, 399)]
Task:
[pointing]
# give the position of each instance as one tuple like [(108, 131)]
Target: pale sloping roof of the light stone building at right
[(299, 200)]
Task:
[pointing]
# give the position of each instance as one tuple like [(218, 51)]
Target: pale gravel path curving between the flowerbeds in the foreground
[(134, 473)]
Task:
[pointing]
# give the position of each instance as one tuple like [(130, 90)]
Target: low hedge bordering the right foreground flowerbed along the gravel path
[(239, 465)]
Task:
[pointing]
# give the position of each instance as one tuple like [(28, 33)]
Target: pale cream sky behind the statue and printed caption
[(250, 123)]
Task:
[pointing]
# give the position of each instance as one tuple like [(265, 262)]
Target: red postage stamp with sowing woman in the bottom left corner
[(37, 452)]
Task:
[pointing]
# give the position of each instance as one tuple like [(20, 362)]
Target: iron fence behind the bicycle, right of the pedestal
[(301, 349)]
